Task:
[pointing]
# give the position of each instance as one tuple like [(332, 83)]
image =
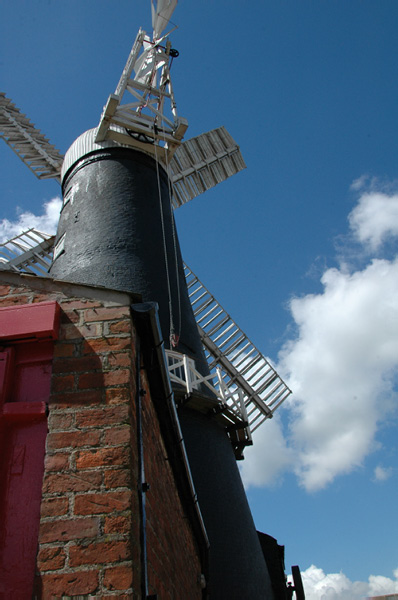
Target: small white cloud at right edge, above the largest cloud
[(375, 219)]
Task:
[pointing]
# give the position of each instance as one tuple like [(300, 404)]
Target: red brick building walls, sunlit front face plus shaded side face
[(89, 530)]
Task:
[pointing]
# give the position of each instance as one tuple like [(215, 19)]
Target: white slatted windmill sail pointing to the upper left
[(32, 147)]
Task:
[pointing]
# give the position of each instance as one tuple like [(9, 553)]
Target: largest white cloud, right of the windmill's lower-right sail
[(341, 369)]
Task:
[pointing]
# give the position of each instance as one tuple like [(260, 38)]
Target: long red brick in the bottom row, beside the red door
[(57, 585)]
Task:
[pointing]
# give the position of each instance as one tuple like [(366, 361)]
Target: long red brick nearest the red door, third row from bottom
[(68, 529)]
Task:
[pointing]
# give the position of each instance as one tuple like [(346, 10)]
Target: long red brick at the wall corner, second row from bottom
[(98, 553)]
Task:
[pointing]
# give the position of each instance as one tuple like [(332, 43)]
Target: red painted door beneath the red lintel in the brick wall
[(25, 374)]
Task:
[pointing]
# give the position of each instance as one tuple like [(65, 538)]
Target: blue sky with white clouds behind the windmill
[(300, 248)]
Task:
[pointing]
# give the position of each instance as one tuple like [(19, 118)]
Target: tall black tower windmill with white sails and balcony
[(121, 182)]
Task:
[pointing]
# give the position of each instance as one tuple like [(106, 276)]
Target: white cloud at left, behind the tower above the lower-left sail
[(46, 222)]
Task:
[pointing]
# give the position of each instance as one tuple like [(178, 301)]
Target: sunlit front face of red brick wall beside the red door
[(89, 466)]
